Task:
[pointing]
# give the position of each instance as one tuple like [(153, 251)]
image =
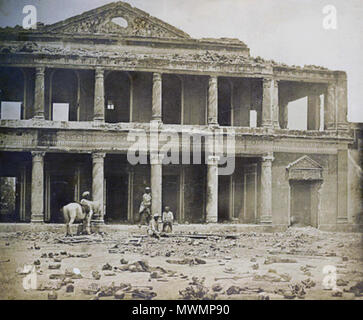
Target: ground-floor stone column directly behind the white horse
[(98, 183)]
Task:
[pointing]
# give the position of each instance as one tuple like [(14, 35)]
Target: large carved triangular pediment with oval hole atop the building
[(117, 18)]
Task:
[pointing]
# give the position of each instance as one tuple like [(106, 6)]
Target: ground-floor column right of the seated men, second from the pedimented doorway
[(212, 189)]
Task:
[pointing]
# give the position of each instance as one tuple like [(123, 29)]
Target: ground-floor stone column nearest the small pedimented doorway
[(266, 189)]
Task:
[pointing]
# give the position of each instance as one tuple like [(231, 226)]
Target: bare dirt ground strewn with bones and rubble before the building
[(289, 265)]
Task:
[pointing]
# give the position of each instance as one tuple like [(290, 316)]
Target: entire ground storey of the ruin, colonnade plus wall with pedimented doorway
[(36, 185)]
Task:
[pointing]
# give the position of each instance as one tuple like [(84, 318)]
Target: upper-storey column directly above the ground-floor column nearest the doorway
[(268, 97)]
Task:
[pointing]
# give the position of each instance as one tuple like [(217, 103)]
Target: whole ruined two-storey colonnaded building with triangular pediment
[(72, 91)]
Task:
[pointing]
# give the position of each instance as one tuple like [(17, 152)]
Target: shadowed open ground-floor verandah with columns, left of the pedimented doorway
[(41, 183)]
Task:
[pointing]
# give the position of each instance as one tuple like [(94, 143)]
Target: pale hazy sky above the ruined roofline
[(289, 31)]
